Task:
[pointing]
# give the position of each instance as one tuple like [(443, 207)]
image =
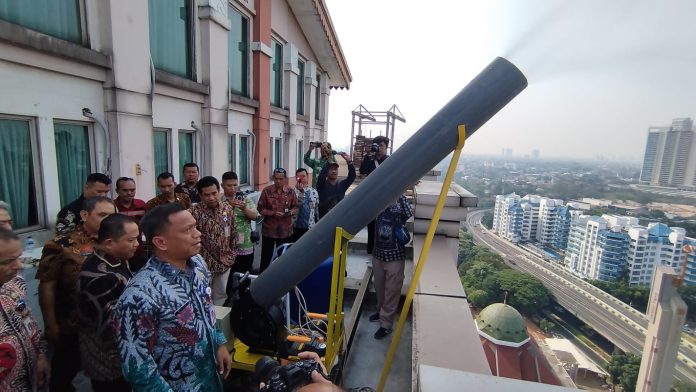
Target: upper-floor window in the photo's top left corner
[(58, 18)]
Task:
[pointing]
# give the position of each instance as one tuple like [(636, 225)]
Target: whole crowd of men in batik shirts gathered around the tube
[(127, 287)]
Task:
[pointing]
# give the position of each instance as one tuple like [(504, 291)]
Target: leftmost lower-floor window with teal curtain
[(19, 176)]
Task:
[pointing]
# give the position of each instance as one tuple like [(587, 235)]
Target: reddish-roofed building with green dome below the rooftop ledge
[(507, 345)]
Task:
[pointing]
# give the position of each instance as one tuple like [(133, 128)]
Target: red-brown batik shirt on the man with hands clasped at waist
[(274, 200)]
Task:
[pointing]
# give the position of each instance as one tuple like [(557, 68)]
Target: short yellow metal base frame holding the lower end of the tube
[(243, 359)]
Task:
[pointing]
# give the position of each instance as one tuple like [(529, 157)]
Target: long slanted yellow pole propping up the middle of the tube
[(421, 259)]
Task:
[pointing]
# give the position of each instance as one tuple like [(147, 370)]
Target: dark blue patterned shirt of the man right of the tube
[(387, 248)]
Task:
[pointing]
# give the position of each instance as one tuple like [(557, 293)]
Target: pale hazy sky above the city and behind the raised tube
[(600, 71)]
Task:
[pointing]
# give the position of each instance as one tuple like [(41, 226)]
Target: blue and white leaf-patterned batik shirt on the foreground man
[(165, 324)]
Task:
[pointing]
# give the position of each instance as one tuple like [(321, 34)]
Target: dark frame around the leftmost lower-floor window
[(41, 213)]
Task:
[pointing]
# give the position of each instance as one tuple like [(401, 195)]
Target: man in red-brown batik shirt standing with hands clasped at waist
[(278, 204)]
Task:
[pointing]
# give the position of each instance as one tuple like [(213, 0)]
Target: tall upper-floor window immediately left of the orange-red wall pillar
[(238, 53)]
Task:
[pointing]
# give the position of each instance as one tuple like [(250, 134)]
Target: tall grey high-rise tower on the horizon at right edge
[(670, 156)]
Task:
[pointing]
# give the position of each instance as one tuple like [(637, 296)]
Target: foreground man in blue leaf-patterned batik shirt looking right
[(165, 320)]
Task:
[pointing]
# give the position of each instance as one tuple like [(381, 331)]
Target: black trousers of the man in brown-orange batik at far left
[(65, 364)]
